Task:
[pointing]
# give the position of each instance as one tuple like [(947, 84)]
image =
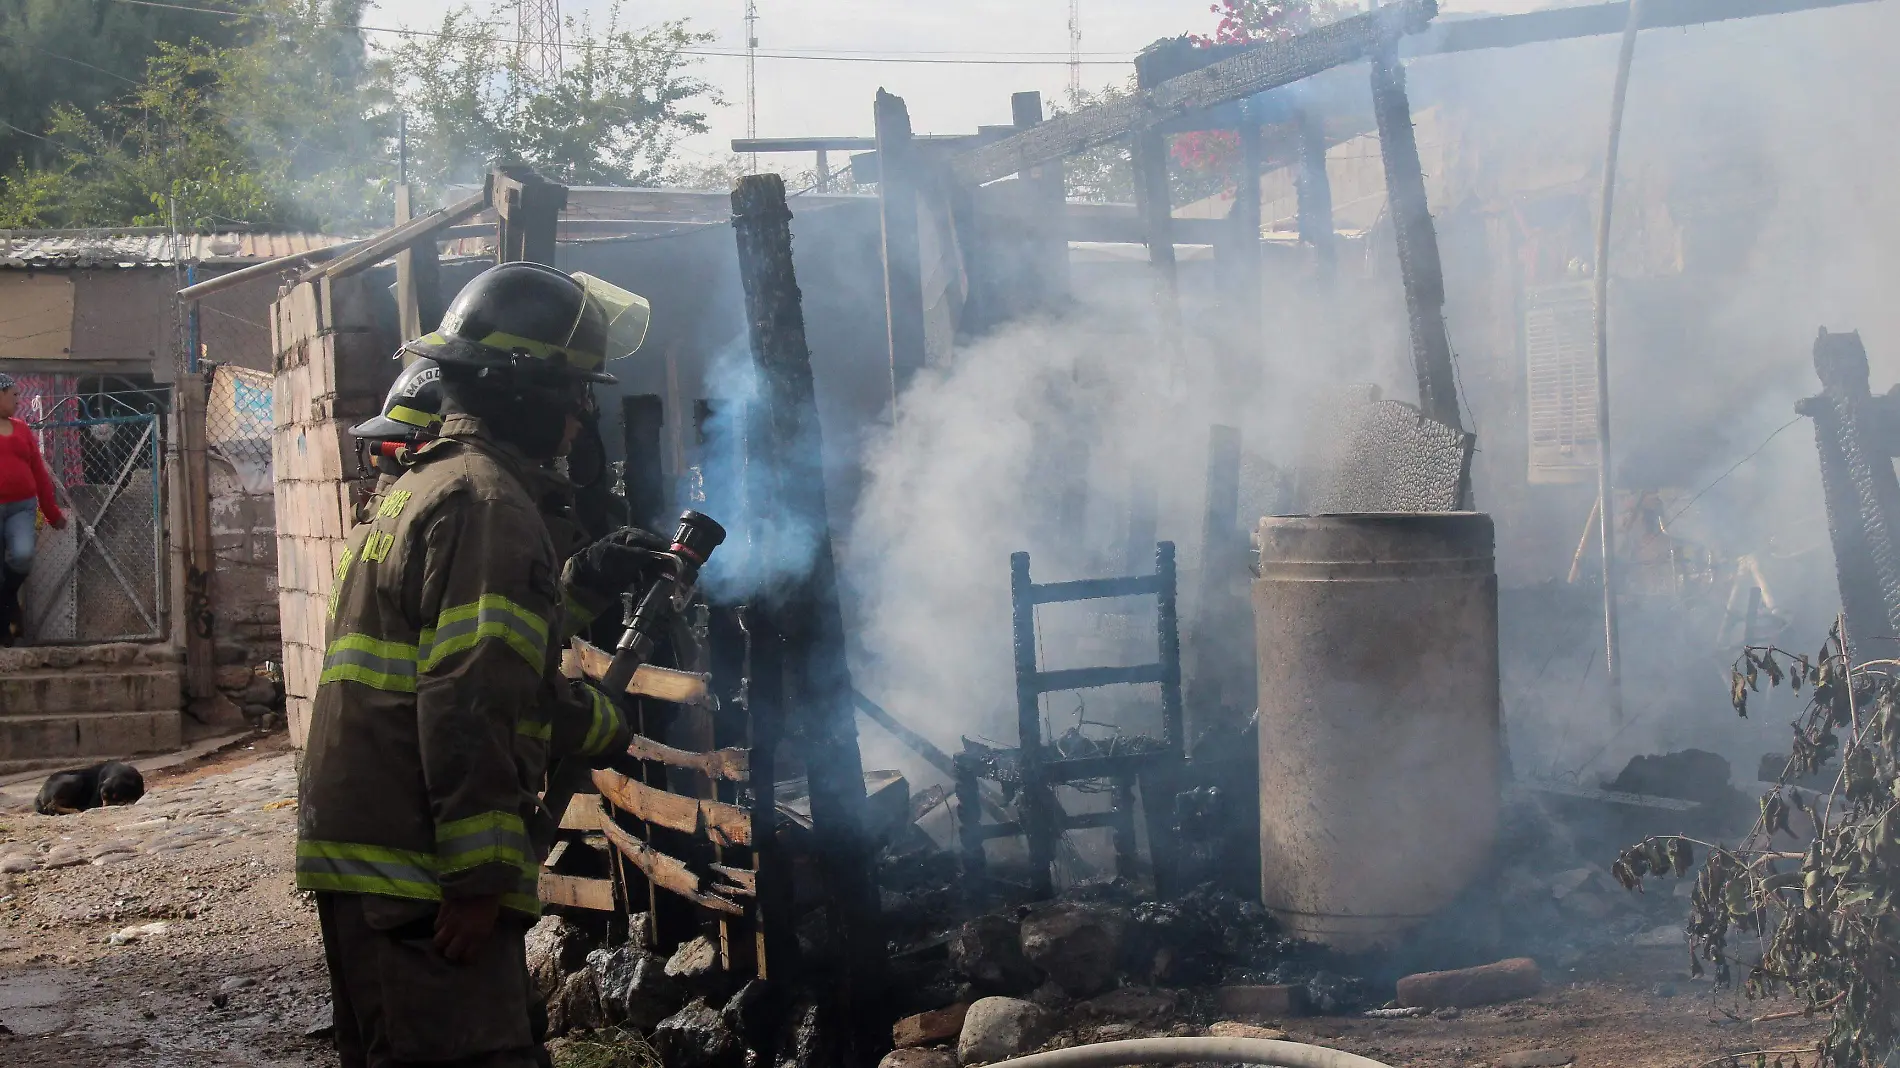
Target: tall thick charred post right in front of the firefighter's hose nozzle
[(786, 480)]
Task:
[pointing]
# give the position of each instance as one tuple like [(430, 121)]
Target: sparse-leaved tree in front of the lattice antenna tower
[(613, 115)]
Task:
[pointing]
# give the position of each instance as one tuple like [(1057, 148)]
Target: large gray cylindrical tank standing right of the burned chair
[(1378, 719)]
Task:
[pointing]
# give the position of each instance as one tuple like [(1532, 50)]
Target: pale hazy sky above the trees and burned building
[(835, 98)]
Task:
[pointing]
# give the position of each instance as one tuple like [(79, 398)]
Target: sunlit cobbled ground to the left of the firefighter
[(162, 934)]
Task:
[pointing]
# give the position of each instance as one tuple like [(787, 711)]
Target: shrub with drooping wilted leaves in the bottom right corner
[(1819, 915)]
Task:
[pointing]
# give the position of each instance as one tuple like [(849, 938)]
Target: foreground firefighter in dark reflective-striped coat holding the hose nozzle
[(442, 706)]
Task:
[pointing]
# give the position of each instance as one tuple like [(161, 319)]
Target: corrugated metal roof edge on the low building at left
[(147, 248)]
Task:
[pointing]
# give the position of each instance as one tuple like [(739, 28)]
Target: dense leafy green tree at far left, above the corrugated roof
[(276, 132)]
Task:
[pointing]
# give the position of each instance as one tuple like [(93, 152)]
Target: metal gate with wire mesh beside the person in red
[(102, 579)]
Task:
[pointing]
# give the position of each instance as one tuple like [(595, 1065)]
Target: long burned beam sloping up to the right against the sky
[(1253, 71)]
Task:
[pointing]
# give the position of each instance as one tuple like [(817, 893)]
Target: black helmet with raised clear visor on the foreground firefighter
[(537, 322)]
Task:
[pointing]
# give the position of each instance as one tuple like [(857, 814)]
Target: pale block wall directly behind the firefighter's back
[(333, 366)]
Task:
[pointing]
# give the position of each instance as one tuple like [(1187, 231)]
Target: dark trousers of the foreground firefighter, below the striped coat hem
[(402, 1004)]
